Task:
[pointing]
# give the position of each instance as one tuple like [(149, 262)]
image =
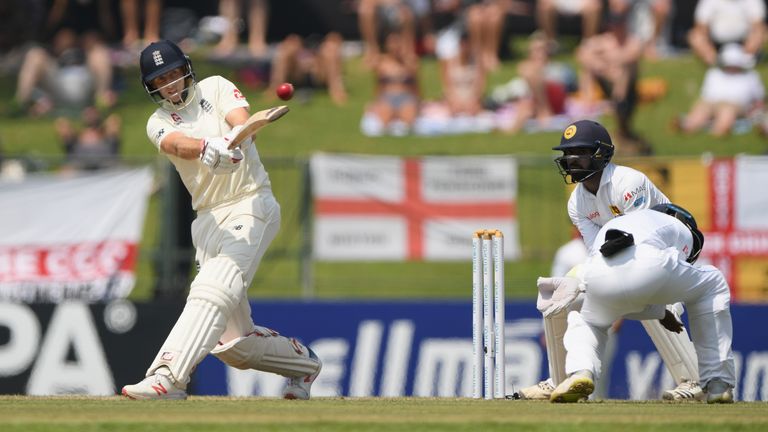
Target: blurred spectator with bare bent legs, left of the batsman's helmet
[(71, 76)]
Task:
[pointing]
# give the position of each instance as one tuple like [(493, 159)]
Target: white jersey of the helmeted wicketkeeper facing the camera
[(622, 190)]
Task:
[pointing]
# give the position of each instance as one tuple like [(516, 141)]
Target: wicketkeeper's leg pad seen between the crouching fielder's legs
[(676, 349)]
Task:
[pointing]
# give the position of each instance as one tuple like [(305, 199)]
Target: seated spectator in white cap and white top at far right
[(732, 90)]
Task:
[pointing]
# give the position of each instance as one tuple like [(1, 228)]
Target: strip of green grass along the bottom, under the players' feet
[(80, 414)]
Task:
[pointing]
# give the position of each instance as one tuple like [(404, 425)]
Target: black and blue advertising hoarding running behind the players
[(368, 349)]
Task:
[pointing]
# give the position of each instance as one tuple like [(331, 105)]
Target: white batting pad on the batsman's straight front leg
[(213, 296)]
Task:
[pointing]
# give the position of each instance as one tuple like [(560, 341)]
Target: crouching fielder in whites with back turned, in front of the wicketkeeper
[(652, 253)]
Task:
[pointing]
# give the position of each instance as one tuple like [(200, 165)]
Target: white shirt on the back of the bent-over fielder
[(649, 227)]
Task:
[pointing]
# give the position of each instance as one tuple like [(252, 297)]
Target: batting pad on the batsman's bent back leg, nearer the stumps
[(268, 351)]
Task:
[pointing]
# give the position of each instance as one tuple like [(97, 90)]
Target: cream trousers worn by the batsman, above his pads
[(241, 232)]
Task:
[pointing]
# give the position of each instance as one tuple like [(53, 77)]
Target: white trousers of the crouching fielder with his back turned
[(643, 276)]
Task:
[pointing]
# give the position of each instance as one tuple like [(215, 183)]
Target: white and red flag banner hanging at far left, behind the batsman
[(76, 237)]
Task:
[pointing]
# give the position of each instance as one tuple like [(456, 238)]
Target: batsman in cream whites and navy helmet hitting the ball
[(237, 219)]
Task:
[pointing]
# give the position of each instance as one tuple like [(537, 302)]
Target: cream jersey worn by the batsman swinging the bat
[(205, 117)]
